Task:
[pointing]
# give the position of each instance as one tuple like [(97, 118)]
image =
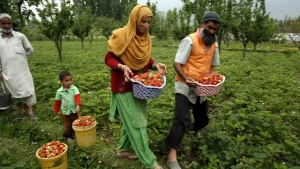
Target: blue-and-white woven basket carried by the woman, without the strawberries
[(141, 91)]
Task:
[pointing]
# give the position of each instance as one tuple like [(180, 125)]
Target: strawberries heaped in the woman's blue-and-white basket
[(149, 79)]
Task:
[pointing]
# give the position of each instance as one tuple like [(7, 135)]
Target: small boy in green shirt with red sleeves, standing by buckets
[(67, 103)]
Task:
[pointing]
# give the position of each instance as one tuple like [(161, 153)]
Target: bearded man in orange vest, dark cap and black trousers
[(197, 54)]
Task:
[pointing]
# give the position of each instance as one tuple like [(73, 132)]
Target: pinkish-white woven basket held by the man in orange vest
[(208, 90)]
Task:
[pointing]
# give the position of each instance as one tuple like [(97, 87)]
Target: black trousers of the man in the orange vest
[(182, 122)]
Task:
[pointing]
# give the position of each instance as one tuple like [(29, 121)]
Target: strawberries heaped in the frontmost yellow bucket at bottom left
[(51, 149)]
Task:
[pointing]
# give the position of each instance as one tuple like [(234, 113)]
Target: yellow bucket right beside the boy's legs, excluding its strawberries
[(85, 135)]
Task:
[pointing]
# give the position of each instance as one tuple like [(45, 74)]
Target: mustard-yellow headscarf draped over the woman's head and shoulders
[(133, 50)]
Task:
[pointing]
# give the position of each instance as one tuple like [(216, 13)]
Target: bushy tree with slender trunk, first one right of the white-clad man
[(55, 22)]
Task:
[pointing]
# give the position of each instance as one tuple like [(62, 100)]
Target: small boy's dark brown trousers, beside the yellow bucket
[(68, 120)]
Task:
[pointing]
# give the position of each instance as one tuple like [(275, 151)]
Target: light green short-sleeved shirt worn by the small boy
[(68, 104)]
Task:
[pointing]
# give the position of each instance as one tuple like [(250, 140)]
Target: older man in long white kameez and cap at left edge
[(14, 70)]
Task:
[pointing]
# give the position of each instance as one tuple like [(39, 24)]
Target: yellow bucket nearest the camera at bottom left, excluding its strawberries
[(57, 162)]
